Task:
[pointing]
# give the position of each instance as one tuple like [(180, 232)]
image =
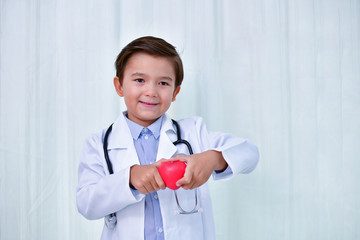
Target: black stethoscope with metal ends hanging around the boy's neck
[(110, 220)]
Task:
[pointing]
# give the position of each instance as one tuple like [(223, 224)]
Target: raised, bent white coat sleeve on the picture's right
[(240, 154)]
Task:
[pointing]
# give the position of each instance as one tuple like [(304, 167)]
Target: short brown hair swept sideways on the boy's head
[(153, 46)]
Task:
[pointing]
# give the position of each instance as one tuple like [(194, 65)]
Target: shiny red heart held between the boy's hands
[(171, 172)]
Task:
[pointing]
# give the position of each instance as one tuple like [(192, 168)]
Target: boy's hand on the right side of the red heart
[(200, 167)]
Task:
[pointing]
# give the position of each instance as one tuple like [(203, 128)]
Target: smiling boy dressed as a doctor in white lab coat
[(149, 73)]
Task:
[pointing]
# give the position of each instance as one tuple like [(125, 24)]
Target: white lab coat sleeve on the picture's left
[(99, 194)]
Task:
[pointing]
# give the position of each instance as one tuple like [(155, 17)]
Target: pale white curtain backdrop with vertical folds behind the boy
[(283, 73)]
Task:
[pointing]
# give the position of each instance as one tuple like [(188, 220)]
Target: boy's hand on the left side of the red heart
[(146, 178)]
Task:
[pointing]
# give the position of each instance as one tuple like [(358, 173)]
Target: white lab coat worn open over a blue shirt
[(99, 194)]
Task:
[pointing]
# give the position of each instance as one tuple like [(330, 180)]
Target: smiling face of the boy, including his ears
[(148, 87)]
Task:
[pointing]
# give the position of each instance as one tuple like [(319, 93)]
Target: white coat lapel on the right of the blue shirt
[(166, 147)]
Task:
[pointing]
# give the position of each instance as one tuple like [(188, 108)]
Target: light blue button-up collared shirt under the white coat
[(146, 141)]
